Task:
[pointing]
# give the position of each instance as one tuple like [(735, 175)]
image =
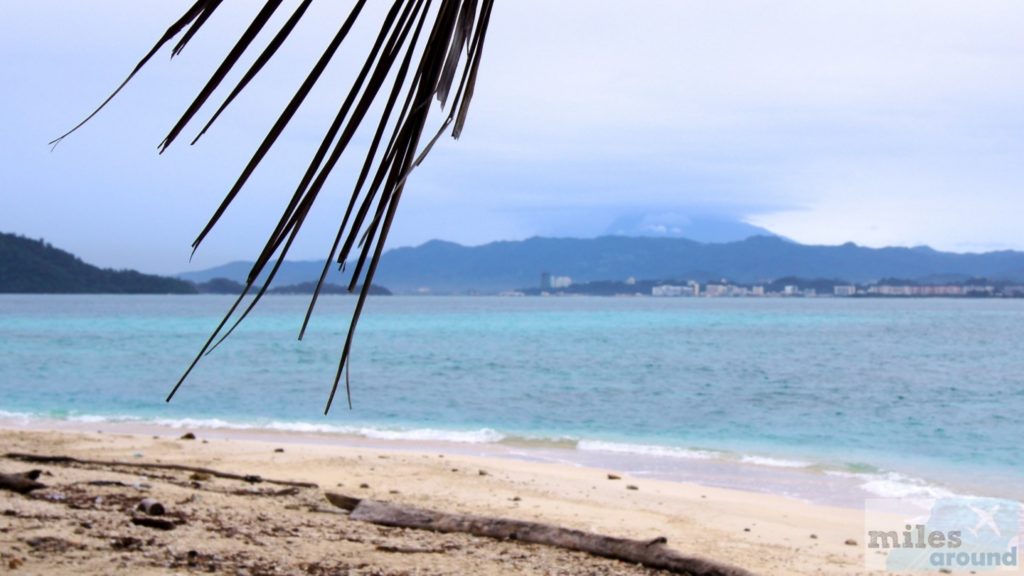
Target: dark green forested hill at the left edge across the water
[(34, 267)]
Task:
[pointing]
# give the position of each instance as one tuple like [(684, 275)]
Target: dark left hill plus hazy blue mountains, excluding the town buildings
[(32, 266)]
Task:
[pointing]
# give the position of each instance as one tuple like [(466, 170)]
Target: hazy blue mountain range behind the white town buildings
[(440, 267)]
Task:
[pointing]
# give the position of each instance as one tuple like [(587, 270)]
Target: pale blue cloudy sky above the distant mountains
[(886, 122)]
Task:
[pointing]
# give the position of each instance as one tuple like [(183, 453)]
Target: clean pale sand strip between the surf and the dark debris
[(761, 532)]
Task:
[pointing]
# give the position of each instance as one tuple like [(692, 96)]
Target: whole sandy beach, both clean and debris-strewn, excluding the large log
[(240, 528)]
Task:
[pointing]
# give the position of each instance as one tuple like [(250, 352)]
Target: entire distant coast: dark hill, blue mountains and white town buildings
[(758, 267)]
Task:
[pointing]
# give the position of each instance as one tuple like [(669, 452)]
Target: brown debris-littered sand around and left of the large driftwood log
[(83, 523)]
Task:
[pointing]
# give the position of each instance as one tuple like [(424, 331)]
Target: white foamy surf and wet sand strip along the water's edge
[(750, 473)]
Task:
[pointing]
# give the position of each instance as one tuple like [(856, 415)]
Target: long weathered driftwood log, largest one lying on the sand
[(653, 554)]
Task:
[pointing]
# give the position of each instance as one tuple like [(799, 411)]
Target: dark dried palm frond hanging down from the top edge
[(452, 28)]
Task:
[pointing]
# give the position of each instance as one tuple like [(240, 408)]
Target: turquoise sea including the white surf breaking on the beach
[(828, 400)]
